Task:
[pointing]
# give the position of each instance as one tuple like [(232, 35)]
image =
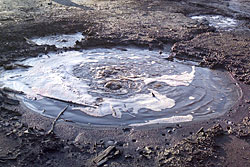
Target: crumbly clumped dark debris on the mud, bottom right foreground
[(198, 149)]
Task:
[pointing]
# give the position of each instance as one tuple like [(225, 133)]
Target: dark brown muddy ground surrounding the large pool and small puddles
[(223, 141)]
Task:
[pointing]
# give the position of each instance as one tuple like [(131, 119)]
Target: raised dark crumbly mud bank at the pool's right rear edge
[(228, 50)]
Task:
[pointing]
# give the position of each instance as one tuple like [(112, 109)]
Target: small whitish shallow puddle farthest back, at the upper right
[(217, 21)]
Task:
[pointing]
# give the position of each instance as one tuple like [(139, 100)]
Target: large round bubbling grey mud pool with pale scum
[(121, 86)]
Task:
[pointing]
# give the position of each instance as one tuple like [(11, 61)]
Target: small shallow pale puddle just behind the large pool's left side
[(60, 41)]
